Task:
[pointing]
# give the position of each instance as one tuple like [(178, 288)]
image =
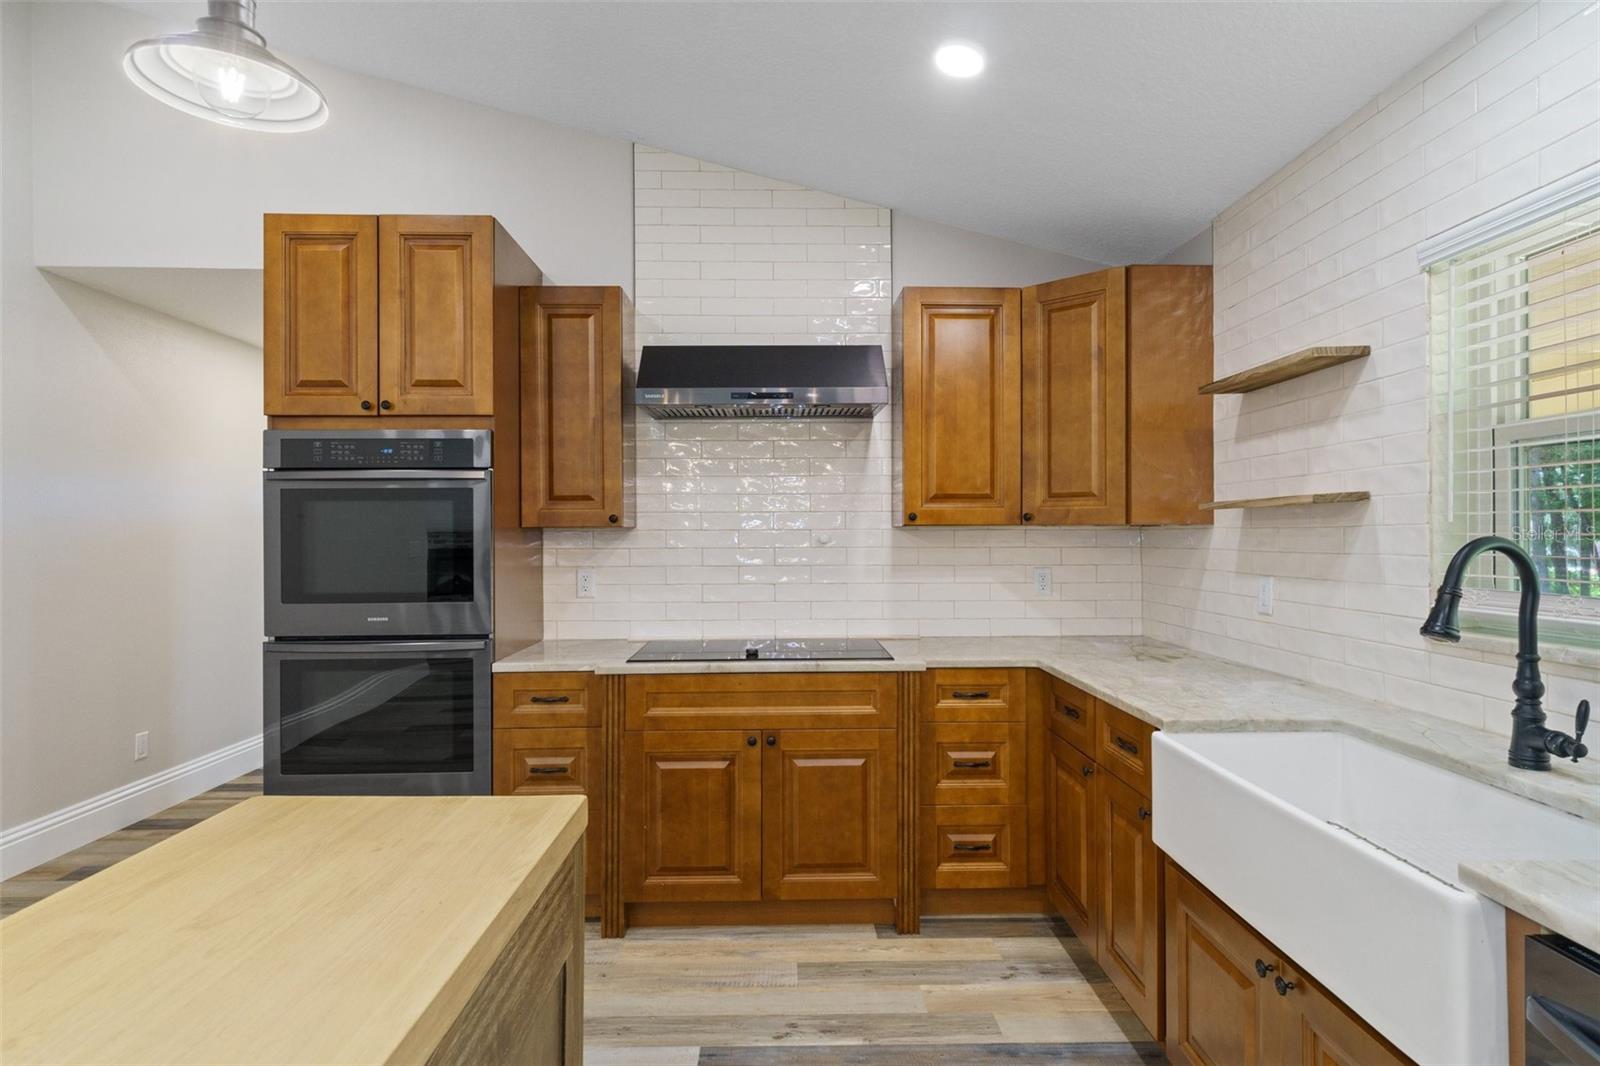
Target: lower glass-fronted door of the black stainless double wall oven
[(393, 718)]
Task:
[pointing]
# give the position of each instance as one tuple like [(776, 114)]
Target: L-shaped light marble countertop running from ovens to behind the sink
[(1166, 686)]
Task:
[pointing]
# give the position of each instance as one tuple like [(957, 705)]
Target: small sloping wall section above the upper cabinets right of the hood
[(932, 254)]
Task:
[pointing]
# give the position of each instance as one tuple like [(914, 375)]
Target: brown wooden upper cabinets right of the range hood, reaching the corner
[(1074, 403)]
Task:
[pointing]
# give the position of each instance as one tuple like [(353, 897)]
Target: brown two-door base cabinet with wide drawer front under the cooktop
[(758, 798)]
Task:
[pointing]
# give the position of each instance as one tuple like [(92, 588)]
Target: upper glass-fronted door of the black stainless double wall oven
[(356, 556)]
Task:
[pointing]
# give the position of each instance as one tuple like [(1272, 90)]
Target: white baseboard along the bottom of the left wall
[(58, 833)]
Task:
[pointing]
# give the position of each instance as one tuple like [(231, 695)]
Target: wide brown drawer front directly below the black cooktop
[(761, 702)]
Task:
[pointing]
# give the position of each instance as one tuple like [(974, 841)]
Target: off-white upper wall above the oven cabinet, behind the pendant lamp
[(126, 182)]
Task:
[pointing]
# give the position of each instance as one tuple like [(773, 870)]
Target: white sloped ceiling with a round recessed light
[(1111, 132)]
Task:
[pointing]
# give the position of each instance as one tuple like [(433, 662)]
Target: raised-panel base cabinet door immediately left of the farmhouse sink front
[(1130, 902)]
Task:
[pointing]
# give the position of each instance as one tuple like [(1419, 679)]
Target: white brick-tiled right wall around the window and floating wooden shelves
[(1326, 254)]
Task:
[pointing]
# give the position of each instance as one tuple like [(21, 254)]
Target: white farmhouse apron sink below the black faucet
[(1346, 856)]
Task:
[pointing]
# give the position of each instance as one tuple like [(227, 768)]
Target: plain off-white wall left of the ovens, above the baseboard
[(130, 540)]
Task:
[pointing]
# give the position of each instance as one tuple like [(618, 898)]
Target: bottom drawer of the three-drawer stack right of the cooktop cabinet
[(974, 848)]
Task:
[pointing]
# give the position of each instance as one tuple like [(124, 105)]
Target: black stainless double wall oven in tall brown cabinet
[(380, 551)]
